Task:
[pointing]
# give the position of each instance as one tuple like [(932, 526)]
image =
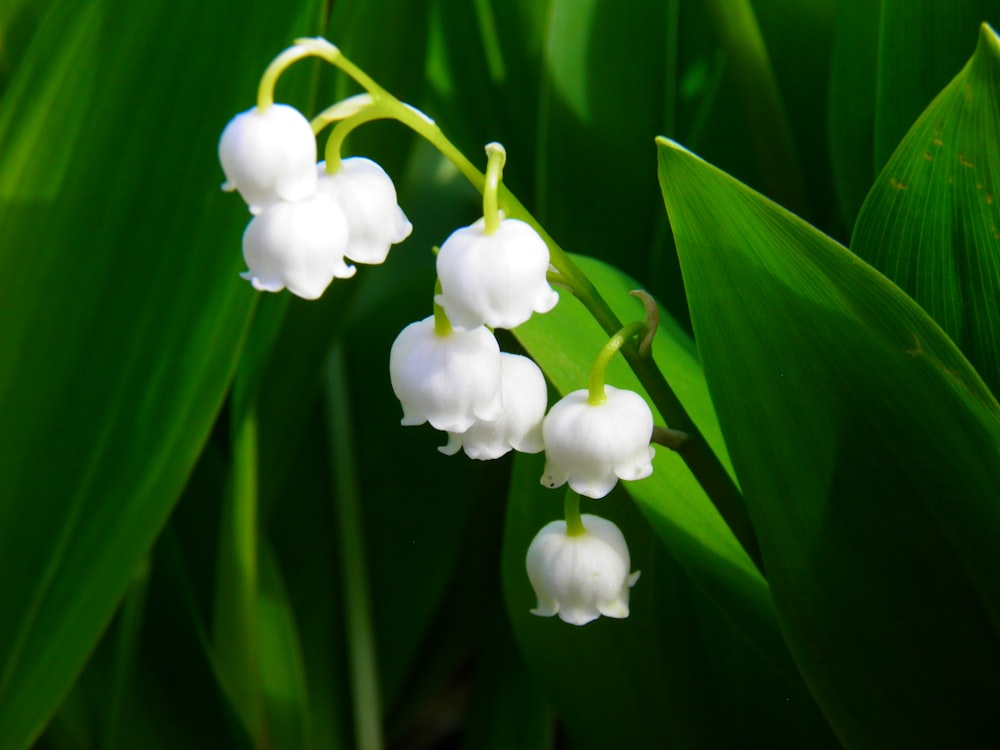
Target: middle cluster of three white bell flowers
[(448, 369)]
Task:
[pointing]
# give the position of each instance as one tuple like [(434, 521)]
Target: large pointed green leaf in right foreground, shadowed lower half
[(868, 450)]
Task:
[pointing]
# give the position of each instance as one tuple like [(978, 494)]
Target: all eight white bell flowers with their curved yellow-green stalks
[(311, 219)]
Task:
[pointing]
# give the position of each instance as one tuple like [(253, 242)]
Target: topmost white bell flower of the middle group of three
[(495, 279)]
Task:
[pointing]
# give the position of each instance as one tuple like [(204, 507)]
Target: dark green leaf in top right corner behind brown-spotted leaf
[(921, 44)]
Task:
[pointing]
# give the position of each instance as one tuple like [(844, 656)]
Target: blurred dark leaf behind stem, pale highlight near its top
[(590, 152)]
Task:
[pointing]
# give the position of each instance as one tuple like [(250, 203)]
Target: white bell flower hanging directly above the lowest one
[(592, 446)]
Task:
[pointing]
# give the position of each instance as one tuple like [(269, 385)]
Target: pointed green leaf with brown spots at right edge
[(932, 220)]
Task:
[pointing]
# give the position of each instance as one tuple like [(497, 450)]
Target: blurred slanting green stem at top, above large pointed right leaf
[(739, 35)]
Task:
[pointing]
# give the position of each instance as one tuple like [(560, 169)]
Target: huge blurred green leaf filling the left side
[(123, 314)]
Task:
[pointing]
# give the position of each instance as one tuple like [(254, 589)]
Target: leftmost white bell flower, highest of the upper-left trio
[(269, 156)]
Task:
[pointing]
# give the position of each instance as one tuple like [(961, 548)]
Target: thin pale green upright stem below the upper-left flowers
[(360, 631)]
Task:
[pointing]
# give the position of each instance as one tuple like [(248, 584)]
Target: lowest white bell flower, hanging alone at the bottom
[(583, 576)]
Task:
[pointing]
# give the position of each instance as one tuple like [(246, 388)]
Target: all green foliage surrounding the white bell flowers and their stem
[(213, 530)]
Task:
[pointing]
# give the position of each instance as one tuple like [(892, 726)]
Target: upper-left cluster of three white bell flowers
[(307, 221)]
